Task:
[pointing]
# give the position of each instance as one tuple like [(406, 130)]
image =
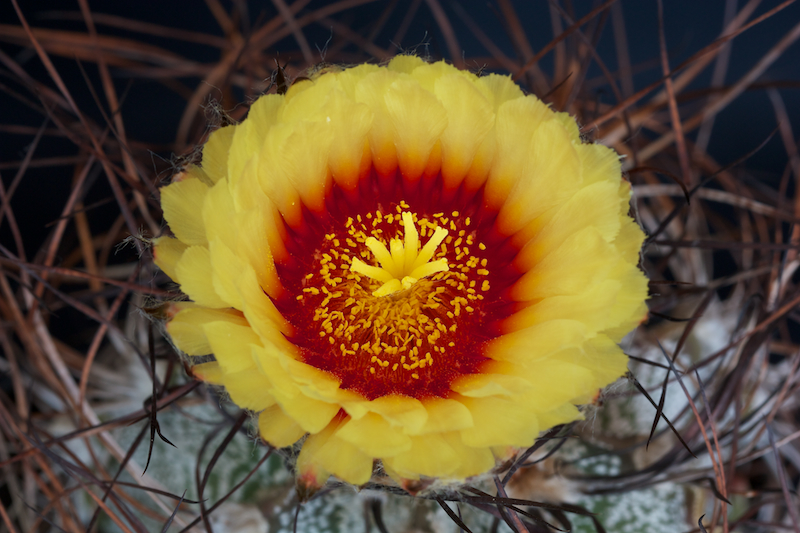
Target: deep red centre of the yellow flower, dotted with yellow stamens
[(417, 337)]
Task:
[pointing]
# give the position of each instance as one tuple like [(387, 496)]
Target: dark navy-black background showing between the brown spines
[(152, 111)]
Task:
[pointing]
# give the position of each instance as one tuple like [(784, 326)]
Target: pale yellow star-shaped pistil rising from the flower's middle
[(402, 265)]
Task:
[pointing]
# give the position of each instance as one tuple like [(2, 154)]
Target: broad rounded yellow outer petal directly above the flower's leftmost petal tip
[(182, 203)]
